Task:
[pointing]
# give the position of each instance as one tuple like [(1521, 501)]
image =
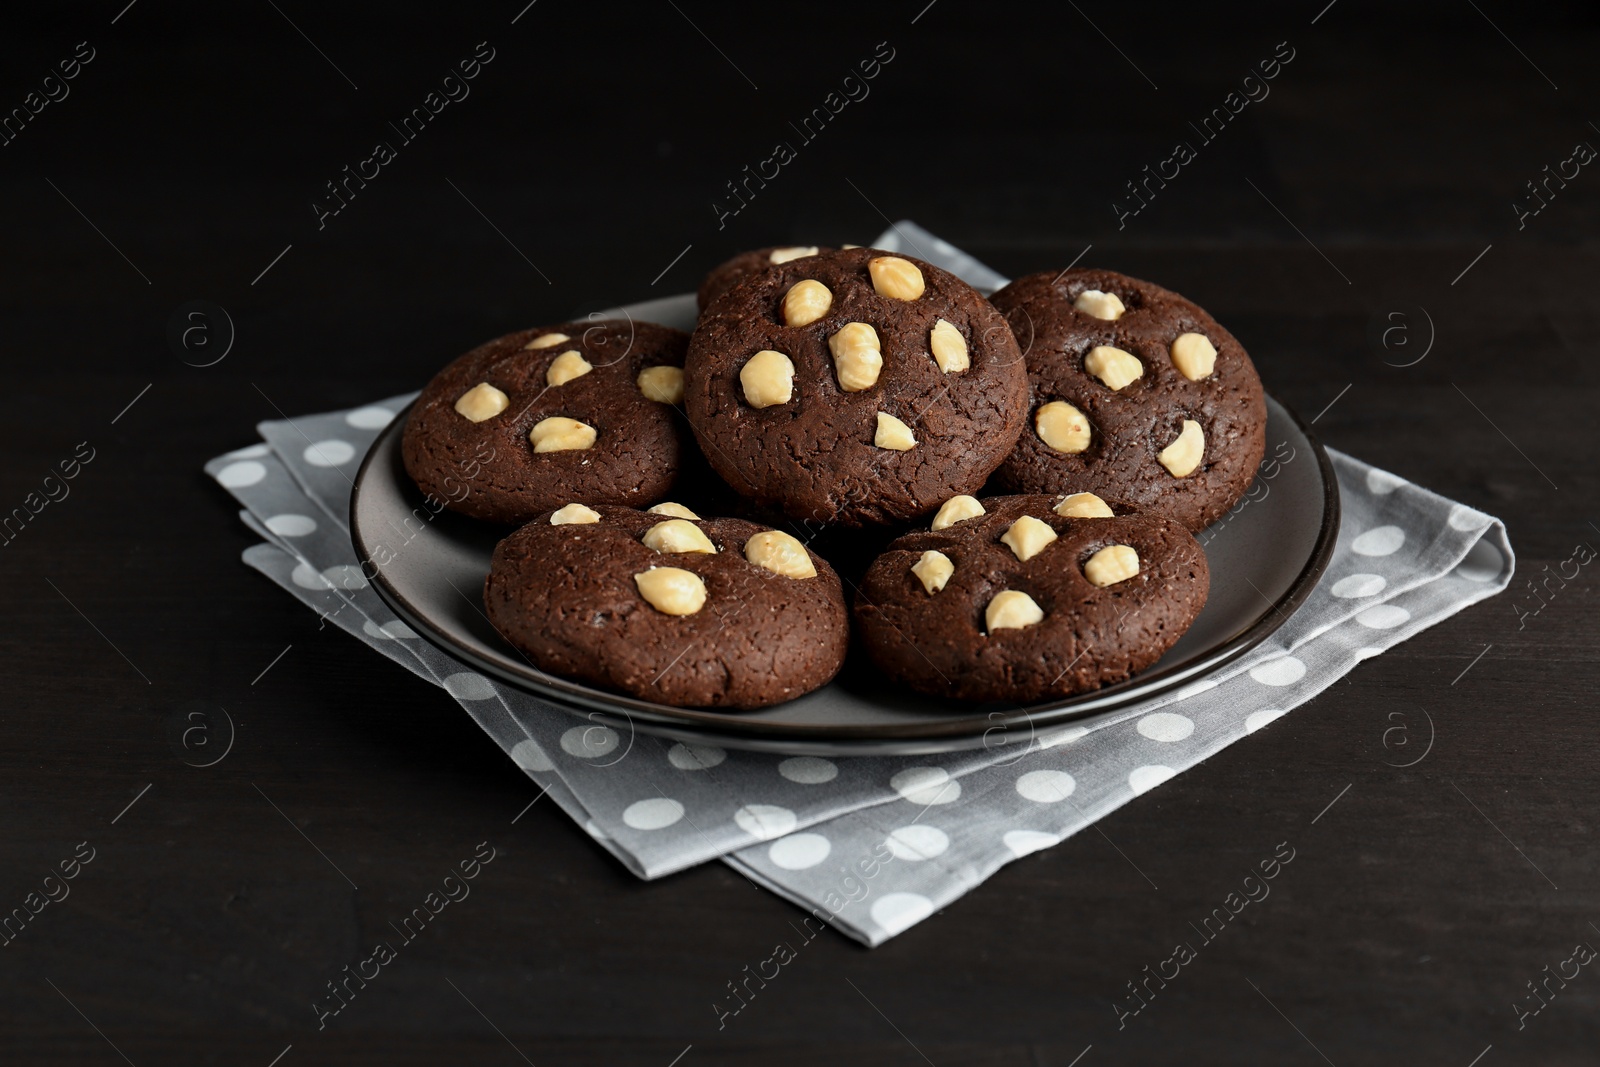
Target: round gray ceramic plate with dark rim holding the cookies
[(1266, 556)]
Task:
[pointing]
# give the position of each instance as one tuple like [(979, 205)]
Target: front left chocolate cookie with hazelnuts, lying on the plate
[(670, 607)]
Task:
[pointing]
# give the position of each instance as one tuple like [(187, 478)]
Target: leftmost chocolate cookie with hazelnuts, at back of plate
[(580, 412)]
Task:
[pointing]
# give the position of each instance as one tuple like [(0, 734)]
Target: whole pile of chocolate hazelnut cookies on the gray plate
[(852, 396)]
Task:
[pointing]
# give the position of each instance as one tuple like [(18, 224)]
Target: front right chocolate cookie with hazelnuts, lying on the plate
[(1030, 597)]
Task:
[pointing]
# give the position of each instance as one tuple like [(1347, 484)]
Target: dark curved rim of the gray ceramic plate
[(751, 733)]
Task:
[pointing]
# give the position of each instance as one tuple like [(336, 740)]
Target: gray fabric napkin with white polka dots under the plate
[(873, 845)]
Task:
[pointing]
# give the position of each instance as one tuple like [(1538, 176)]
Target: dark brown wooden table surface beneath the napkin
[(1378, 182)]
